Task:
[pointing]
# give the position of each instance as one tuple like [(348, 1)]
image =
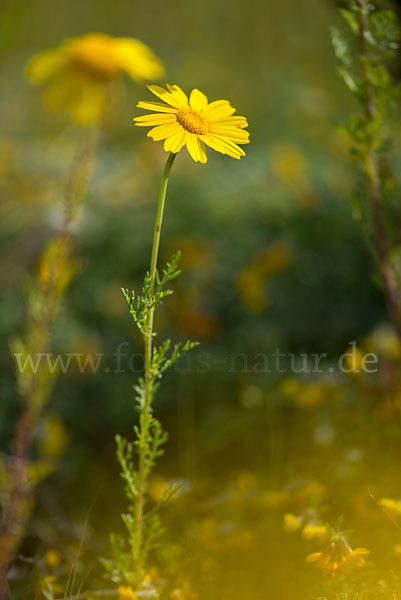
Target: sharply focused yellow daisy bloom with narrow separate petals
[(193, 122)]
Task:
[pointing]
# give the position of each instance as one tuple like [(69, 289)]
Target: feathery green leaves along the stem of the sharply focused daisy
[(138, 458)]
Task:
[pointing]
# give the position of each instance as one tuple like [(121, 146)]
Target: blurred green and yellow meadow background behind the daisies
[(272, 258)]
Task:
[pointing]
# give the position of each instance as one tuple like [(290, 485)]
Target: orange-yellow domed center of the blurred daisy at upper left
[(95, 54)]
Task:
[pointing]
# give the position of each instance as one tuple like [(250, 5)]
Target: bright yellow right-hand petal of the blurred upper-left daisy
[(137, 60)]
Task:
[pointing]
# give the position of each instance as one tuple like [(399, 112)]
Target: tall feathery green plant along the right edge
[(363, 65)]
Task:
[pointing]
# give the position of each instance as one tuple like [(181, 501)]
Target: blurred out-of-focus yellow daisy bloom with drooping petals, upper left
[(79, 71)]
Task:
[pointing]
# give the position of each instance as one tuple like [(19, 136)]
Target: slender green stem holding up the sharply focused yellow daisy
[(148, 337)]
